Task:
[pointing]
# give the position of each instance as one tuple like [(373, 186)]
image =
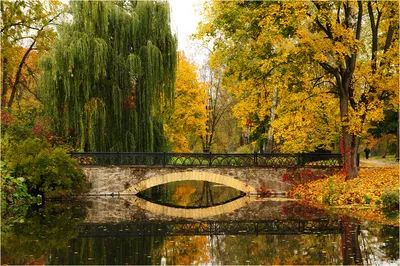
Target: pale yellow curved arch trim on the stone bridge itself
[(192, 175)]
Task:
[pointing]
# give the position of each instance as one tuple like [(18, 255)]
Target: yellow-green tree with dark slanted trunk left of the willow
[(27, 28)]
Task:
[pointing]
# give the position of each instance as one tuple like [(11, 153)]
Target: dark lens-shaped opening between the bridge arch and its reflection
[(191, 194)]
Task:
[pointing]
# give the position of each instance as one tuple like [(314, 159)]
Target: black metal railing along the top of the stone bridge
[(271, 160)]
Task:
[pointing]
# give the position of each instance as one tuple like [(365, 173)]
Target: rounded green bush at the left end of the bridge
[(50, 173)]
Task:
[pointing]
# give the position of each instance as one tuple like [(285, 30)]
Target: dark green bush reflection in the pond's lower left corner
[(40, 231)]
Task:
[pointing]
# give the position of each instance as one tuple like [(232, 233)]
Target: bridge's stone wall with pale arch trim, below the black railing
[(133, 179)]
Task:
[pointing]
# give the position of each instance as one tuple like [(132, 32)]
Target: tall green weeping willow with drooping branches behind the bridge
[(111, 74)]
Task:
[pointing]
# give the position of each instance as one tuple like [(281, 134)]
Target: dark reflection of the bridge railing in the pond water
[(273, 227)]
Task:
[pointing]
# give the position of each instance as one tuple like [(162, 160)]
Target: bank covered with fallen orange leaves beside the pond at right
[(359, 197)]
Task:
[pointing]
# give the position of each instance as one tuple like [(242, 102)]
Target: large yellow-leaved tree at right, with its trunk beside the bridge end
[(346, 49)]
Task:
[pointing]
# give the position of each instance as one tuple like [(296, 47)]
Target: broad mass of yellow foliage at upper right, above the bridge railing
[(306, 50)]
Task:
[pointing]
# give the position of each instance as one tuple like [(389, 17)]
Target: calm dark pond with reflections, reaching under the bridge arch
[(106, 230)]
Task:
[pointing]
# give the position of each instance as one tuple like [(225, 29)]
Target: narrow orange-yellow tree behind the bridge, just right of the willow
[(187, 122)]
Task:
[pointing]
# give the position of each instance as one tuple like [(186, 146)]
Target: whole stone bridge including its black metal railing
[(129, 173)]
